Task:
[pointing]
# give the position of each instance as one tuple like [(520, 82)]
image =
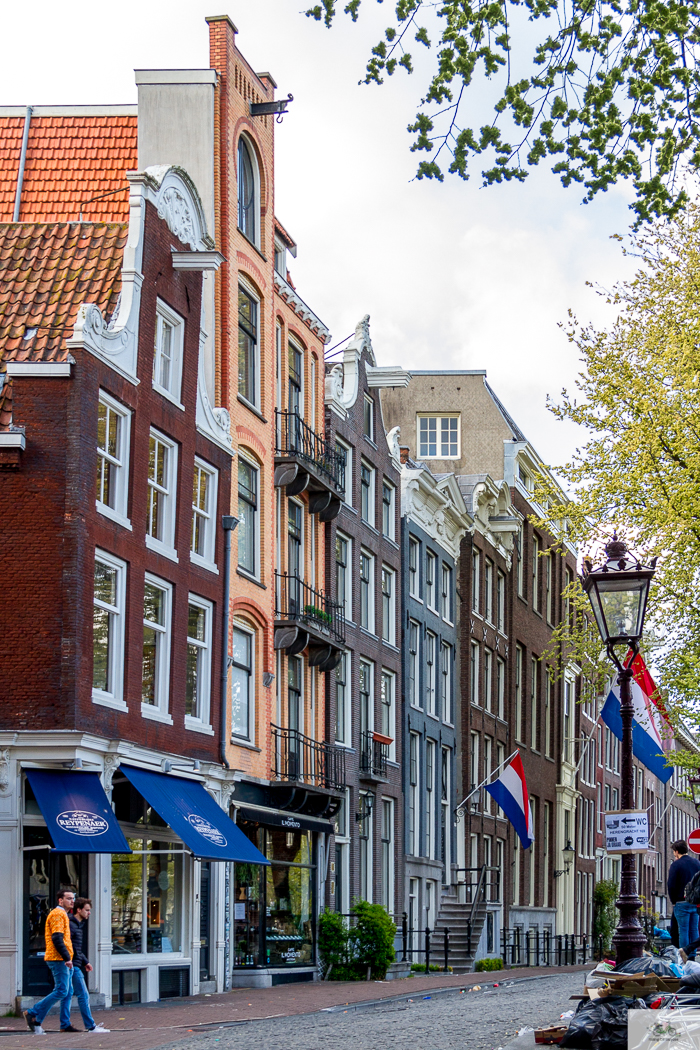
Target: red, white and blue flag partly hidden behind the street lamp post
[(651, 726)]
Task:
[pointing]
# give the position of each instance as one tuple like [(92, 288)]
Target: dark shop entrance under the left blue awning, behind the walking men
[(45, 875)]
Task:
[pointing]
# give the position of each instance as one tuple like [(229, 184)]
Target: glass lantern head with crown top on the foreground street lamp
[(619, 592)]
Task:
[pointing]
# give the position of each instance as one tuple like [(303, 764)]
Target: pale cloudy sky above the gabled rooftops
[(453, 276)]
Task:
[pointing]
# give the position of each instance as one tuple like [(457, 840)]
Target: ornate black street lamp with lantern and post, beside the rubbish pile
[(619, 592)]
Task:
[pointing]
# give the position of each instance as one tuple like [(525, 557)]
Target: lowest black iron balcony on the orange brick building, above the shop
[(309, 774)]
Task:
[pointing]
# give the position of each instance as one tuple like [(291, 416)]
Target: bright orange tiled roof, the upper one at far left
[(70, 161)]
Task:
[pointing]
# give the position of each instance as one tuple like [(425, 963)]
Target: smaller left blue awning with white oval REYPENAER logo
[(77, 812)]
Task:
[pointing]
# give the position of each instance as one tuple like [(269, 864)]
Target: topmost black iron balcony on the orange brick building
[(305, 463)]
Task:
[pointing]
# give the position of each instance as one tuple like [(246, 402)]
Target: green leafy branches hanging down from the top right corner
[(609, 91)]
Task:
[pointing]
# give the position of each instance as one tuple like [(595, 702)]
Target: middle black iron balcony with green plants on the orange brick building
[(308, 619)]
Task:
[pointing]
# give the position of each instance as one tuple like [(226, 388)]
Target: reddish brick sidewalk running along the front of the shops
[(161, 1024)]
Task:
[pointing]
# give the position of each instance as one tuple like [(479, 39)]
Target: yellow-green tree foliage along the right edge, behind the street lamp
[(640, 470)]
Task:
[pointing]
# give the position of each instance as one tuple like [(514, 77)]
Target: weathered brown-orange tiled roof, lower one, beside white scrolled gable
[(48, 270)]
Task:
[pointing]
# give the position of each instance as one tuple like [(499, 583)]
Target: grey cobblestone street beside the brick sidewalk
[(471, 1021)]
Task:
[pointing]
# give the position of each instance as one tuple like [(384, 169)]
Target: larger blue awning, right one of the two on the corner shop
[(193, 813)]
